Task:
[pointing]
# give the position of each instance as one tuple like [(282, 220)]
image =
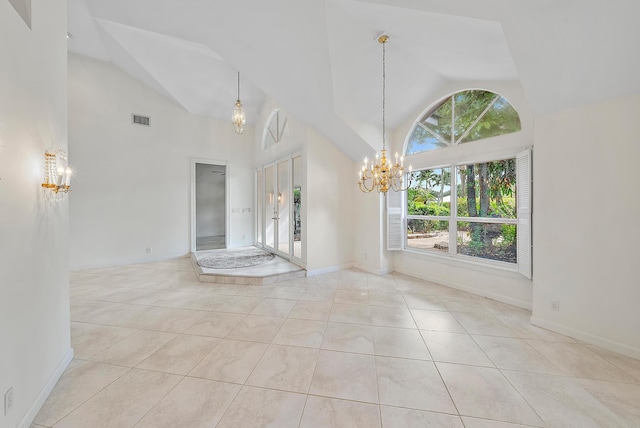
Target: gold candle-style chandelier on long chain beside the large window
[(382, 175)]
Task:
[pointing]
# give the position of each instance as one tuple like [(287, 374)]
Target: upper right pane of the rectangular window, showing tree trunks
[(487, 189)]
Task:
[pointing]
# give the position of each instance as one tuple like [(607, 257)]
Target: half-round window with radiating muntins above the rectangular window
[(463, 117)]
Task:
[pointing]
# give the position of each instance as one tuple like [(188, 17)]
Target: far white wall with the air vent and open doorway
[(132, 182)]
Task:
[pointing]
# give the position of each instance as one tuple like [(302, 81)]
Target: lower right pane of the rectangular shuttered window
[(492, 241)]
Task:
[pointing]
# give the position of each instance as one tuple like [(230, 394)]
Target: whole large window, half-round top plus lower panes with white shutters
[(473, 206)]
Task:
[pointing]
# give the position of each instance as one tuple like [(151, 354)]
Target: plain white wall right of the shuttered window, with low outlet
[(585, 216)]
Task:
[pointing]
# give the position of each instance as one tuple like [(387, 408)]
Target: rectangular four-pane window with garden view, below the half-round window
[(472, 213)]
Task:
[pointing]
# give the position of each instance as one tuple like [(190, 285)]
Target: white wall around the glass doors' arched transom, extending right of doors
[(327, 191)]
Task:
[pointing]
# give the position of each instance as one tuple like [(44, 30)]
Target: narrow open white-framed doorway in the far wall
[(209, 197)]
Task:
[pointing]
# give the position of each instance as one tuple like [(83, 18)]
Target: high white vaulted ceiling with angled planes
[(320, 59)]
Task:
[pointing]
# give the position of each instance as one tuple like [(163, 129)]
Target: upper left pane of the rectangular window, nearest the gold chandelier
[(430, 192)]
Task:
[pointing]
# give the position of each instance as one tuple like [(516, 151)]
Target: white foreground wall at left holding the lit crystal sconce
[(34, 283)]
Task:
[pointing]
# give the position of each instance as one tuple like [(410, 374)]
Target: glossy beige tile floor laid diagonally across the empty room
[(156, 348)]
